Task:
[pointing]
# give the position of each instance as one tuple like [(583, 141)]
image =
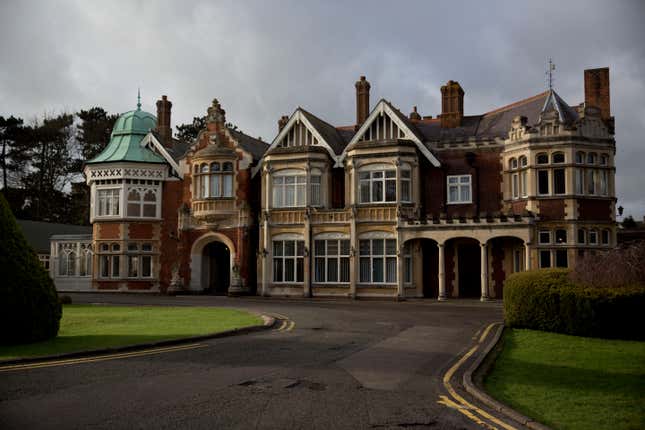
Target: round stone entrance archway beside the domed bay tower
[(201, 273)]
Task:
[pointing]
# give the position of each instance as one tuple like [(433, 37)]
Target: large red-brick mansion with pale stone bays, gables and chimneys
[(392, 205)]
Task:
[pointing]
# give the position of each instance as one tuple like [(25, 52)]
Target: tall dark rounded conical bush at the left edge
[(29, 306)]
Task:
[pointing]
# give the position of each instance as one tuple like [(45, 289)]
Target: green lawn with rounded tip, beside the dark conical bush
[(96, 326)]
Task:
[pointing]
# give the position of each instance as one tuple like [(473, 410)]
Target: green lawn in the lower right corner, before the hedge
[(571, 382)]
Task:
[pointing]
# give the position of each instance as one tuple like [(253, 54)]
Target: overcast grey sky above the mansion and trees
[(263, 59)]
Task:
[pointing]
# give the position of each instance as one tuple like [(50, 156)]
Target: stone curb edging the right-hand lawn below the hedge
[(473, 390)]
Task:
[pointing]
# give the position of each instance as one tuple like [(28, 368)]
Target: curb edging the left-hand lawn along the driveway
[(268, 323)]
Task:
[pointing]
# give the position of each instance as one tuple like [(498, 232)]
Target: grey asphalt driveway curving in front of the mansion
[(333, 364)]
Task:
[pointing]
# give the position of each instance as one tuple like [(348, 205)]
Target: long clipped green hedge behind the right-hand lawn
[(548, 300)]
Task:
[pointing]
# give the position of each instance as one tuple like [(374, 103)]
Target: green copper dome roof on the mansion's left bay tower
[(125, 140)]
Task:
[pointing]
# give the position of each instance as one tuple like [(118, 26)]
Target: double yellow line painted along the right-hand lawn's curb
[(460, 404)]
